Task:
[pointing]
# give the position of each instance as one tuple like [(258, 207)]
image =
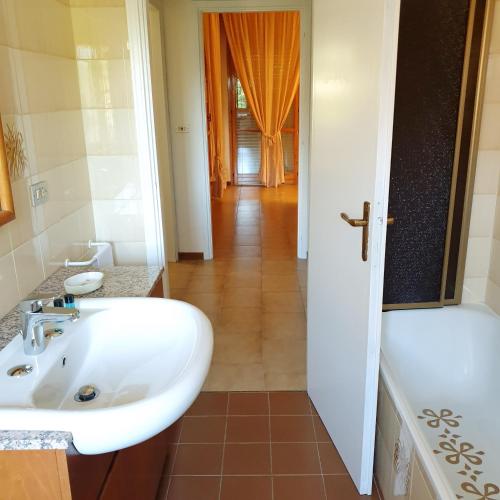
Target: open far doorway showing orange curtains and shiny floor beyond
[(252, 73)]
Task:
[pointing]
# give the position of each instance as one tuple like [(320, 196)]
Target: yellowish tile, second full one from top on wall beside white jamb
[(105, 83)]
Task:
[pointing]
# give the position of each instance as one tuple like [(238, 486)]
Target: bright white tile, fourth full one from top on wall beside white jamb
[(114, 177)]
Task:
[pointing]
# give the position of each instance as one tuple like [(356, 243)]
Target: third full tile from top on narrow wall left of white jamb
[(109, 131)]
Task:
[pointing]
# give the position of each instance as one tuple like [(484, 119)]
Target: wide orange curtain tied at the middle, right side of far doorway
[(266, 51)]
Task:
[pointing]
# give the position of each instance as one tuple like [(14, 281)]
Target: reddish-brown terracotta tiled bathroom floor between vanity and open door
[(256, 446)]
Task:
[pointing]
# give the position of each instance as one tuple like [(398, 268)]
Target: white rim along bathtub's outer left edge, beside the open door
[(435, 473)]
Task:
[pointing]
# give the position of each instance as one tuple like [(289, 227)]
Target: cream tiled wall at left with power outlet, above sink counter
[(39, 94)]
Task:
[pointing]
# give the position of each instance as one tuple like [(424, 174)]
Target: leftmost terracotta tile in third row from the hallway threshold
[(198, 459)]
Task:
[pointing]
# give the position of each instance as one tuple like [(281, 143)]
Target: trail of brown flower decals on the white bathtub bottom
[(462, 454)]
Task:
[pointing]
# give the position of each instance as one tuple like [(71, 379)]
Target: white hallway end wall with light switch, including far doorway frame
[(185, 84)]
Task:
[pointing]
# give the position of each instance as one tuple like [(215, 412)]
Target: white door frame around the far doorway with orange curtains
[(304, 9)]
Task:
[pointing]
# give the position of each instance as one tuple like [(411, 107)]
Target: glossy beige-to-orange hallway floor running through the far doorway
[(254, 291)]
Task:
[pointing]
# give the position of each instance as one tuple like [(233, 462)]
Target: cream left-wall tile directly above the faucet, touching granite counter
[(29, 267)]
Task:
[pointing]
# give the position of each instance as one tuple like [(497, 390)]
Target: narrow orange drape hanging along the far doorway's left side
[(211, 34)]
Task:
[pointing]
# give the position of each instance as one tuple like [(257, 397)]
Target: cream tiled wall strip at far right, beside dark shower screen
[(482, 268)]
